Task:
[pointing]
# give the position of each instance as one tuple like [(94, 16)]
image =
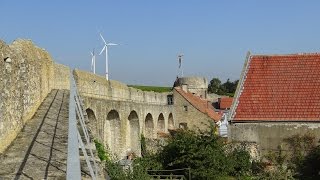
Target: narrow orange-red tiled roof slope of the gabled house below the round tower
[(200, 104)]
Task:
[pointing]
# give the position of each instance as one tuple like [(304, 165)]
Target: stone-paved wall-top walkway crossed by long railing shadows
[(40, 149)]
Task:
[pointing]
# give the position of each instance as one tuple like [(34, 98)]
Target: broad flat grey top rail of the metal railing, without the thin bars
[(73, 161)]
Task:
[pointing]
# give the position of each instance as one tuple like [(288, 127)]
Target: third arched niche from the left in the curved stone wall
[(134, 132)]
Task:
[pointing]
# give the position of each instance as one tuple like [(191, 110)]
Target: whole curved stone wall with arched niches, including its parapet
[(119, 114)]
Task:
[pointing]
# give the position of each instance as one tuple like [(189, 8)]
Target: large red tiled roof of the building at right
[(280, 88)]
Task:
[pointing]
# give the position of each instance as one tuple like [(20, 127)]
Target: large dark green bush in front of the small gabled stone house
[(204, 154)]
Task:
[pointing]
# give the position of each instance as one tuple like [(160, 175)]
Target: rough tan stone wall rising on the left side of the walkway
[(27, 75)]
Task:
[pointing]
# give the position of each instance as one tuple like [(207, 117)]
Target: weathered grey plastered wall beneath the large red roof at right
[(269, 135)]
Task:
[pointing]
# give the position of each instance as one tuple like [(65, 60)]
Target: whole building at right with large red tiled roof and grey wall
[(277, 97)]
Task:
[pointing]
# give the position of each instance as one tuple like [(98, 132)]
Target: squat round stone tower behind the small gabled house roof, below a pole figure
[(196, 85)]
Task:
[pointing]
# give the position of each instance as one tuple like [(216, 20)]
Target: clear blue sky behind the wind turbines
[(214, 36)]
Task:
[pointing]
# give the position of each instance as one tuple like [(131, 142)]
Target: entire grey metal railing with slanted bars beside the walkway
[(77, 119)]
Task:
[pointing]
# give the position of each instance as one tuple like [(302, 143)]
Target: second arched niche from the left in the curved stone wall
[(112, 132)]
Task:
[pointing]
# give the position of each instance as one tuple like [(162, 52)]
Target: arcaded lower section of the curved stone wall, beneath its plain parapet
[(119, 124)]
